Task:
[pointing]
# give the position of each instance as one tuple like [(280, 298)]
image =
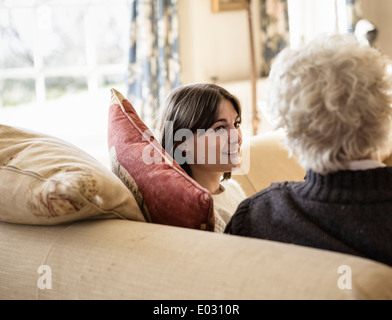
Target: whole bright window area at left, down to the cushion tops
[(58, 61)]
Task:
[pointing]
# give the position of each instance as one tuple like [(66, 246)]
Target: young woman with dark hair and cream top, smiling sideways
[(200, 129)]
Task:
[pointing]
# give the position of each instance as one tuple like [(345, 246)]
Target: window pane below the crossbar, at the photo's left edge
[(18, 91)]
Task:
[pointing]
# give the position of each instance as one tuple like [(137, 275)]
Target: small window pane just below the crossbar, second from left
[(59, 86)]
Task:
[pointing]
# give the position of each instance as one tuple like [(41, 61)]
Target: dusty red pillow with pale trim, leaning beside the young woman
[(169, 195)]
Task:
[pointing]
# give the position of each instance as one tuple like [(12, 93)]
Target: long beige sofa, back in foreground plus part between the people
[(123, 259)]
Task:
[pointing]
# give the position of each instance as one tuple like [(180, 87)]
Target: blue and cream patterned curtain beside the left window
[(154, 66)]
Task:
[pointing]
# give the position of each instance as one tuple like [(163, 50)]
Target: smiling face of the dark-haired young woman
[(218, 148)]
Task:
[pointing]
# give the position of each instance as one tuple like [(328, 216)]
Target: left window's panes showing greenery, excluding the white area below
[(52, 48)]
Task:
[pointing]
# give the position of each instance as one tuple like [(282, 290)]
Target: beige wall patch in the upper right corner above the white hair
[(379, 12)]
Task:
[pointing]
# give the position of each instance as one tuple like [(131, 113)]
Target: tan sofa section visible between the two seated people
[(269, 162)]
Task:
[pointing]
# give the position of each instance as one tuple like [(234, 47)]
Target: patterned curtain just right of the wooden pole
[(275, 34)]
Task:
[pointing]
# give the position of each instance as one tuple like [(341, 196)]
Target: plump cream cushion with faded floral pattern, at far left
[(45, 180)]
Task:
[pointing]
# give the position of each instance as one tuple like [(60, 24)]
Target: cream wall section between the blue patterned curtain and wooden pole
[(214, 45)]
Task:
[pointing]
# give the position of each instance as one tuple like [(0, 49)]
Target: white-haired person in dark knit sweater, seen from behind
[(333, 99)]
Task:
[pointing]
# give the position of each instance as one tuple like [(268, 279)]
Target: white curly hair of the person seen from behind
[(333, 99)]
